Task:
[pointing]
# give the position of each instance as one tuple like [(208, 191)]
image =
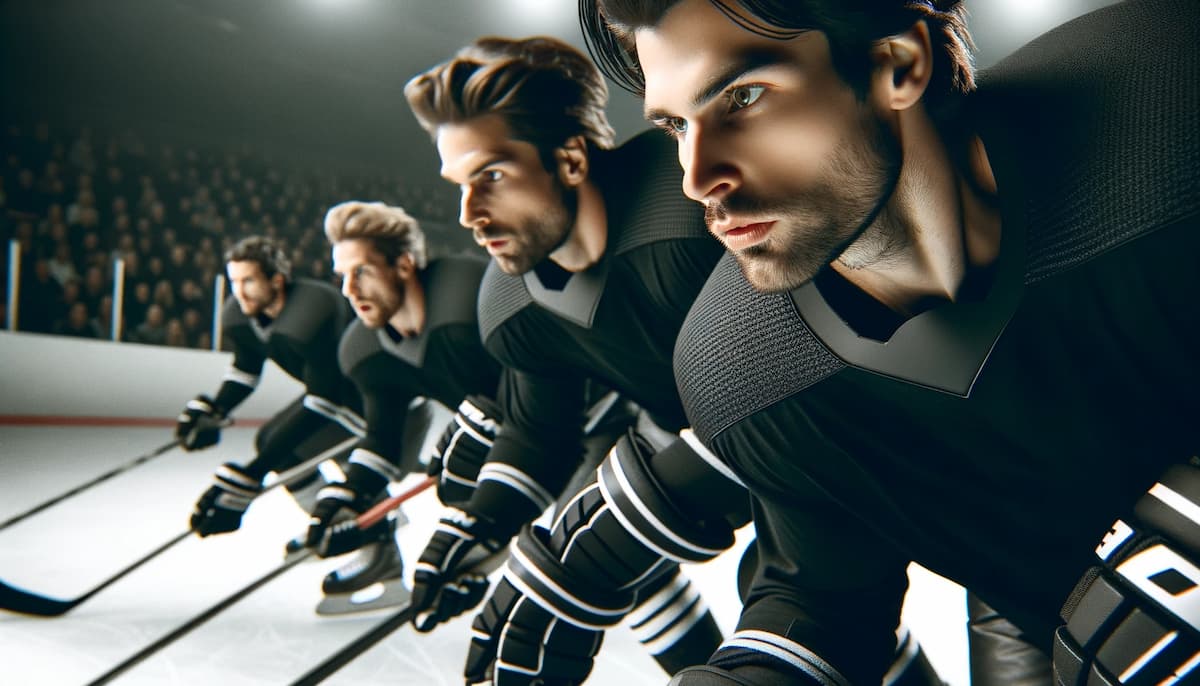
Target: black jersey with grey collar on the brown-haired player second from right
[(615, 323)]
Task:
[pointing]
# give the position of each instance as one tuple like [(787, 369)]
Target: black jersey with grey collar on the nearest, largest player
[(997, 441)]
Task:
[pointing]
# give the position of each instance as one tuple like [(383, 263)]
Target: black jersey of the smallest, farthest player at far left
[(303, 341)]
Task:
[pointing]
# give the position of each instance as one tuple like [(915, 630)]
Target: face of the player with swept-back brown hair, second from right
[(517, 209)]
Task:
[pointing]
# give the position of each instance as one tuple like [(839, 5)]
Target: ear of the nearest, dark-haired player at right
[(904, 65)]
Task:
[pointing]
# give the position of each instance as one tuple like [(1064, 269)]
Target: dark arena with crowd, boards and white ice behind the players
[(142, 139)]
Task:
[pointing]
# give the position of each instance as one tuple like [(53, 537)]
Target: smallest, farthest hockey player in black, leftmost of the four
[(297, 324)]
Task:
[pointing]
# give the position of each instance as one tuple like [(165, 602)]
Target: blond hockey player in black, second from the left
[(416, 341)]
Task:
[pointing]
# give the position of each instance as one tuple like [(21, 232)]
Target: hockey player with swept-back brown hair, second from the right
[(596, 261)]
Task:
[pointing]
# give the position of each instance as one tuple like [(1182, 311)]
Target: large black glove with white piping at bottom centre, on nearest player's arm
[(541, 625)]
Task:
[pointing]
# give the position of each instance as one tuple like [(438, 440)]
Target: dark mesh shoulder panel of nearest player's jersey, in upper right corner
[(1084, 134)]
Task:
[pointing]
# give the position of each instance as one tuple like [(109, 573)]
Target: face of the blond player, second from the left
[(369, 282)]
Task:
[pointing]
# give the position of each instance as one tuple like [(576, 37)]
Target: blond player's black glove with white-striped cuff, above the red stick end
[(464, 448)]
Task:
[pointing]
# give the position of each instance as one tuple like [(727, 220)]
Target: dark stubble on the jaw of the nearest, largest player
[(842, 219)]
